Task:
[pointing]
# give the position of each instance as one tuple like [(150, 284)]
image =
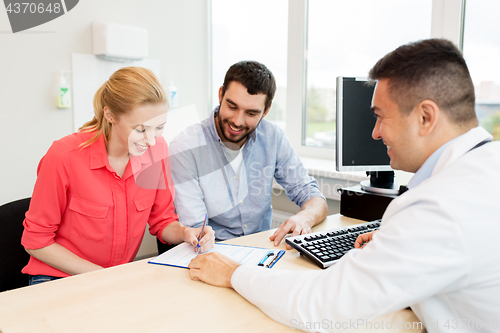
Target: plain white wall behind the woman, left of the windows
[(29, 61)]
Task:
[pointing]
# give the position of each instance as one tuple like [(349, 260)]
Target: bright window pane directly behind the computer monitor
[(343, 40)]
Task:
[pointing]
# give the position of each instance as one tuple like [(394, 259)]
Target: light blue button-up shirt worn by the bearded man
[(236, 204)]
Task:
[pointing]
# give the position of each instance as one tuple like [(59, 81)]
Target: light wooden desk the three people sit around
[(141, 297)]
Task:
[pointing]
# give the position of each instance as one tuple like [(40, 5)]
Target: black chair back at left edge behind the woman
[(13, 257)]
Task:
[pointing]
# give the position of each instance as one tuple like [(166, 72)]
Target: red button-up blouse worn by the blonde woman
[(80, 203)]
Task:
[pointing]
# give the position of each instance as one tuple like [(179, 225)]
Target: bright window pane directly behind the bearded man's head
[(251, 30)]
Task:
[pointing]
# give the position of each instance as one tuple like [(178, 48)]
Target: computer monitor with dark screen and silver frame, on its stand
[(356, 150)]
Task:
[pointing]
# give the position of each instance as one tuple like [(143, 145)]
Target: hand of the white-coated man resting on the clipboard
[(213, 268)]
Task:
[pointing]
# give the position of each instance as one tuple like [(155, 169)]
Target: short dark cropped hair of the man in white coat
[(432, 69)]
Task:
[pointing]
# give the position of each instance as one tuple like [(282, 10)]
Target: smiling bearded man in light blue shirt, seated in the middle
[(224, 167)]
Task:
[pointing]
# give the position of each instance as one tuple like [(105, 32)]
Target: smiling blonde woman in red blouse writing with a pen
[(97, 188)]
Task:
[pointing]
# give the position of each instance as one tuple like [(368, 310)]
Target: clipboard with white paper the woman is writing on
[(182, 254)]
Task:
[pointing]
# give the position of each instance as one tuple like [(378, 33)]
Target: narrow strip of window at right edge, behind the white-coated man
[(482, 51)]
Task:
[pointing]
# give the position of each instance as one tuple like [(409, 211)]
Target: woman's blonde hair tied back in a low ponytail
[(126, 89)]
